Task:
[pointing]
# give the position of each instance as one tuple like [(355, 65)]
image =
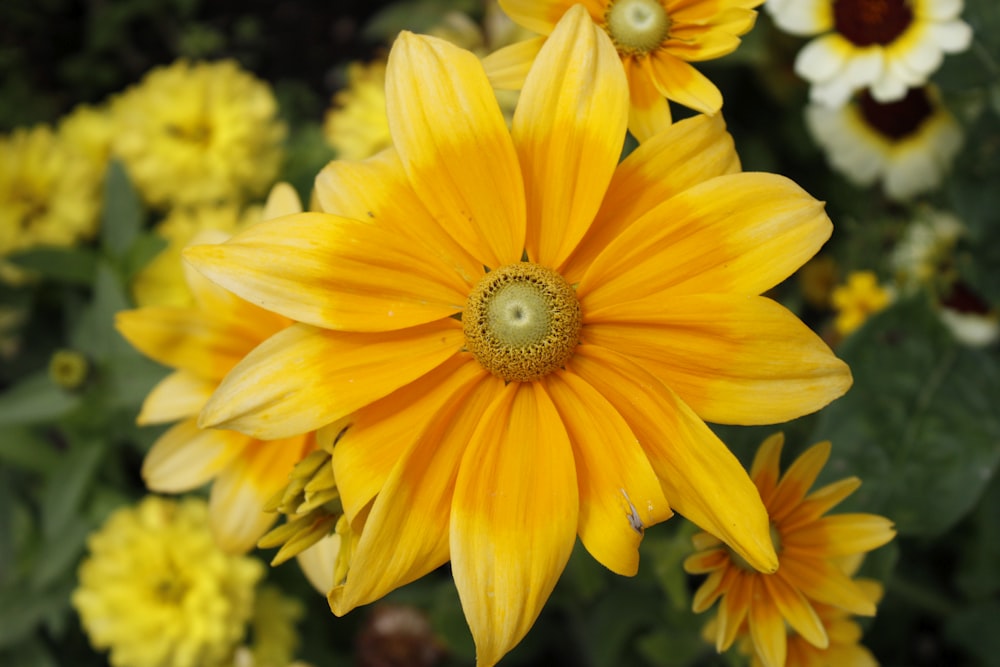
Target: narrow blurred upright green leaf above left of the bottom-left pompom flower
[(65, 489)]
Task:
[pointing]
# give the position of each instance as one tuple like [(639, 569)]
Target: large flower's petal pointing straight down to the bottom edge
[(514, 518)]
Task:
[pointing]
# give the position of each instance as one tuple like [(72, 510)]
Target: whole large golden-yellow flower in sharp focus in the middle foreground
[(521, 336)]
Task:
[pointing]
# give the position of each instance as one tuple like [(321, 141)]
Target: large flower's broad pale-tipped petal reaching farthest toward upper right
[(740, 233)]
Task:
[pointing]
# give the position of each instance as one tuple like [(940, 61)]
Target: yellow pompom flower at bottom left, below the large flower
[(157, 591)]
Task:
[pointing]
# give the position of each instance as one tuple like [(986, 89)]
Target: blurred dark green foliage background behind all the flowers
[(921, 425)]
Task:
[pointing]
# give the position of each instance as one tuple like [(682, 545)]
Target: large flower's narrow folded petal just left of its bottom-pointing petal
[(406, 534)]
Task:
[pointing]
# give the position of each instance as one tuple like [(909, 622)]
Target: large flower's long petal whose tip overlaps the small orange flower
[(701, 478)]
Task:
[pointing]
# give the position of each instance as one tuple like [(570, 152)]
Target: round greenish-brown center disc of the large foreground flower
[(522, 321)]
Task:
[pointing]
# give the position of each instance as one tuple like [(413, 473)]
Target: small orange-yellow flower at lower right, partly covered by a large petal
[(810, 549)]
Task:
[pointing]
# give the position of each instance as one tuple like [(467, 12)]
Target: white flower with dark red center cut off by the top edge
[(886, 46)]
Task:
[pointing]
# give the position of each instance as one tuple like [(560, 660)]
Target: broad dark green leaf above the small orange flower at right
[(919, 426)]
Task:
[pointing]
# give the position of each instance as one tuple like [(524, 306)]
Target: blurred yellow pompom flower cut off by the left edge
[(49, 194)]
